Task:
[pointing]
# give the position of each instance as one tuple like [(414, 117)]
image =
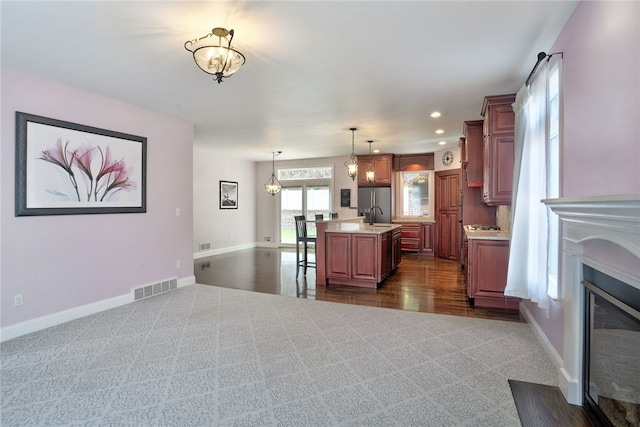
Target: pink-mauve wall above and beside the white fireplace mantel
[(601, 113)]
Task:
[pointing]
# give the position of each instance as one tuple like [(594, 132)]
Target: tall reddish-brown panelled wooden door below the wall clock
[(448, 225)]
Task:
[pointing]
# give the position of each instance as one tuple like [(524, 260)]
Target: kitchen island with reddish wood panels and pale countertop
[(350, 252)]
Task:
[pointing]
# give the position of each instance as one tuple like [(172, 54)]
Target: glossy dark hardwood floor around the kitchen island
[(421, 283)]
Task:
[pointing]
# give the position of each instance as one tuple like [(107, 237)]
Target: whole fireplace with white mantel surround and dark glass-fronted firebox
[(600, 289)]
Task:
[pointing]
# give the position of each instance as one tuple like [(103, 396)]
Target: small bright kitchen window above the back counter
[(413, 189)]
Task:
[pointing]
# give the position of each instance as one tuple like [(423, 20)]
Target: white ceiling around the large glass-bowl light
[(314, 68)]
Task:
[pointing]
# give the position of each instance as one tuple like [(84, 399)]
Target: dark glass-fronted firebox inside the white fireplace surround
[(612, 352)]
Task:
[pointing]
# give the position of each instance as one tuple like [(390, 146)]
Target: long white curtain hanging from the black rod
[(528, 251)]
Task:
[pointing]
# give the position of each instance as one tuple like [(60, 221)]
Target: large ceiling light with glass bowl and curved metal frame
[(220, 60)]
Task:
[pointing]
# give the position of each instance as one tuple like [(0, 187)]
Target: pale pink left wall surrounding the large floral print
[(62, 262)]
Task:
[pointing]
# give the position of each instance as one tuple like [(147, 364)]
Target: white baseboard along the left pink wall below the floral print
[(37, 324)]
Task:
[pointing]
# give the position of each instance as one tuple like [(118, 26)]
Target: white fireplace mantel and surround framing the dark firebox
[(586, 223)]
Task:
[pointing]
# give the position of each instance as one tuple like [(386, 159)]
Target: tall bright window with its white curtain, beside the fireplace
[(534, 250)]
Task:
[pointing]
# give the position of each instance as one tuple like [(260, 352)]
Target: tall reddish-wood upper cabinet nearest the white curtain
[(498, 155)]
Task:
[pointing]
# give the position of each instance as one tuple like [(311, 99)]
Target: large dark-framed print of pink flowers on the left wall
[(66, 168)]
